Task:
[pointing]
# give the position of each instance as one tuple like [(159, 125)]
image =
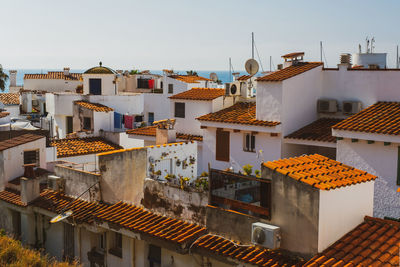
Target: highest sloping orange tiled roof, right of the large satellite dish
[(289, 72)]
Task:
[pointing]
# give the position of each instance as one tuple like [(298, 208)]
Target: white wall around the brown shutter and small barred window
[(271, 147)]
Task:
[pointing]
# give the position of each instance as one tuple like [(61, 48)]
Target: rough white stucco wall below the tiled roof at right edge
[(378, 160)]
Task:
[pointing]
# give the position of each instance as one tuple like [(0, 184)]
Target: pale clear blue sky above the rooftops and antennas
[(199, 35)]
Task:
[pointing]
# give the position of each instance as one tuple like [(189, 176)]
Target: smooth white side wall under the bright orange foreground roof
[(341, 210)]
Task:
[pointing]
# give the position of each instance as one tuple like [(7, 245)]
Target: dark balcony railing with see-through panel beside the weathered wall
[(242, 193)]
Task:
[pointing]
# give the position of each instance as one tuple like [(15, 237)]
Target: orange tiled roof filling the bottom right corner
[(375, 242)]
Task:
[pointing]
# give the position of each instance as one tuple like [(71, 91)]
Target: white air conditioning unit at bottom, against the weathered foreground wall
[(266, 235)]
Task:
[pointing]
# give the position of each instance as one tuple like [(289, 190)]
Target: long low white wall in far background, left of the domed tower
[(51, 85)]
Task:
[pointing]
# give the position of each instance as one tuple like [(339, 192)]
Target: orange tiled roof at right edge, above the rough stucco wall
[(380, 118)]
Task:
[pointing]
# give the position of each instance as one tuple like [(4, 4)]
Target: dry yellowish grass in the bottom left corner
[(13, 254)]
